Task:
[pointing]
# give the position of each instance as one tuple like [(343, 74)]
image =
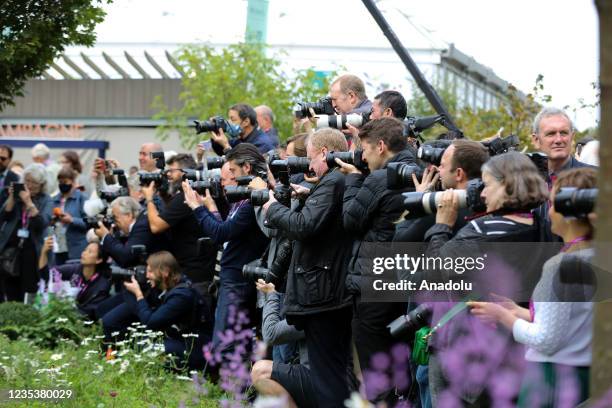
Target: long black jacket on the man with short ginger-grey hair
[(315, 280)]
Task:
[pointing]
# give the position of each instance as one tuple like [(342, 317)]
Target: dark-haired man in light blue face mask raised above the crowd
[(243, 119)]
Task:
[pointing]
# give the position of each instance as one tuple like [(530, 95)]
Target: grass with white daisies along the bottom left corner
[(96, 382)]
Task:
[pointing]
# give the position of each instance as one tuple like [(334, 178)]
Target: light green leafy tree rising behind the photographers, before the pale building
[(215, 79)]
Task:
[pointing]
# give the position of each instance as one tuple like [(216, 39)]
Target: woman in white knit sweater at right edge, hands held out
[(557, 328)]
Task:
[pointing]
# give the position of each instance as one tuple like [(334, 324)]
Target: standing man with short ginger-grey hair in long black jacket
[(316, 300)]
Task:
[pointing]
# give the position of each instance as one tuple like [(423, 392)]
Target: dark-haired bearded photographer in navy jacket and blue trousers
[(240, 235)]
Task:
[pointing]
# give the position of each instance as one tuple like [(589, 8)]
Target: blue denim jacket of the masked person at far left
[(75, 233)]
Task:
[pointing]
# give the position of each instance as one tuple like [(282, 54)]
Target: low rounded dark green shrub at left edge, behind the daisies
[(58, 321)]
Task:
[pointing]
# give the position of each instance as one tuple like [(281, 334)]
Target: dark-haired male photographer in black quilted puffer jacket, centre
[(369, 212)]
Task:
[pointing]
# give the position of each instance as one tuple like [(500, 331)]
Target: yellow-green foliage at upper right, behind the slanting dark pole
[(515, 114)]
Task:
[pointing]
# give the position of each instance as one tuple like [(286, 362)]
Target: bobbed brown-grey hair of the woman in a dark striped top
[(524, 186)]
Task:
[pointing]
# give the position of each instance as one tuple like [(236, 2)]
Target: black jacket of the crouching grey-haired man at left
[(121, 250)]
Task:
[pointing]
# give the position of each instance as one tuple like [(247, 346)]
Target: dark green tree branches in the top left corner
[(34, 32)]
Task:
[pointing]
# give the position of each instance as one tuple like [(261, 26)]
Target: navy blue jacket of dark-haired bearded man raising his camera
[(245, 241)]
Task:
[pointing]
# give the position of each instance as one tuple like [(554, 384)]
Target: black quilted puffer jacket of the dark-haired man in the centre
[(370, 212)]
